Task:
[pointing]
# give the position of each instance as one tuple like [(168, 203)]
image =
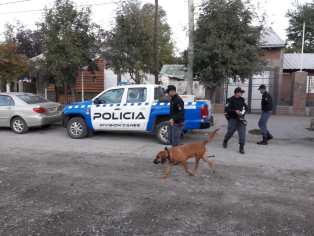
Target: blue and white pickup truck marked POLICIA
[(132, 108)]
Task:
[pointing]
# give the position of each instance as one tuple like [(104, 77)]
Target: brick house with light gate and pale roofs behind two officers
[(292, 90)]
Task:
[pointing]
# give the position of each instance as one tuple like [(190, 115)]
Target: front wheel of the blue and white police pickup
[(77, 128)]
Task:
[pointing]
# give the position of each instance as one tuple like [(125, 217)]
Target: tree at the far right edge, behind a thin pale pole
[(297, 16)]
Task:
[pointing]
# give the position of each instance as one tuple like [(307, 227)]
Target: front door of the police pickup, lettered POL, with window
[(106, 113)]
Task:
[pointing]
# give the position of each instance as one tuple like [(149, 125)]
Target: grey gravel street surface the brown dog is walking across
[(108, 185)]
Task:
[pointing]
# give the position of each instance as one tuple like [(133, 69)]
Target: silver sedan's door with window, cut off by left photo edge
[(6, 110)]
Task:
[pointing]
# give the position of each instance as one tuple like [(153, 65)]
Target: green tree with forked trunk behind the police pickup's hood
[(70, 42)]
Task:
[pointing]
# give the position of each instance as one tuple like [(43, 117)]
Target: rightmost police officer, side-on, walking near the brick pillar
[(267, 107)]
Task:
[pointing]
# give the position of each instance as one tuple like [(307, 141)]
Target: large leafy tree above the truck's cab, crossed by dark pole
[(130, 43)]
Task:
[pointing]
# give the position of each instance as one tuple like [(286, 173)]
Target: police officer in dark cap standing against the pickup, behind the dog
[(176, 116)]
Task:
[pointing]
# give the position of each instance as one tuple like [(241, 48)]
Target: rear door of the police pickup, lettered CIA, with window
[(135, 112)]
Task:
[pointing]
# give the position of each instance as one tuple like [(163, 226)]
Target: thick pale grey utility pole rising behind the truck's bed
[(189, 88)]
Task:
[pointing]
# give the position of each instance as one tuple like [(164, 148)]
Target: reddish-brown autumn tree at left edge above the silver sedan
[(12, 64)]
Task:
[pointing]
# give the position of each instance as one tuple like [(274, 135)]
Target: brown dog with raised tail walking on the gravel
[(180, 155)]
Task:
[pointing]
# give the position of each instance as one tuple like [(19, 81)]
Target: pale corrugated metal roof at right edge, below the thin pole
[(292, 61)]
